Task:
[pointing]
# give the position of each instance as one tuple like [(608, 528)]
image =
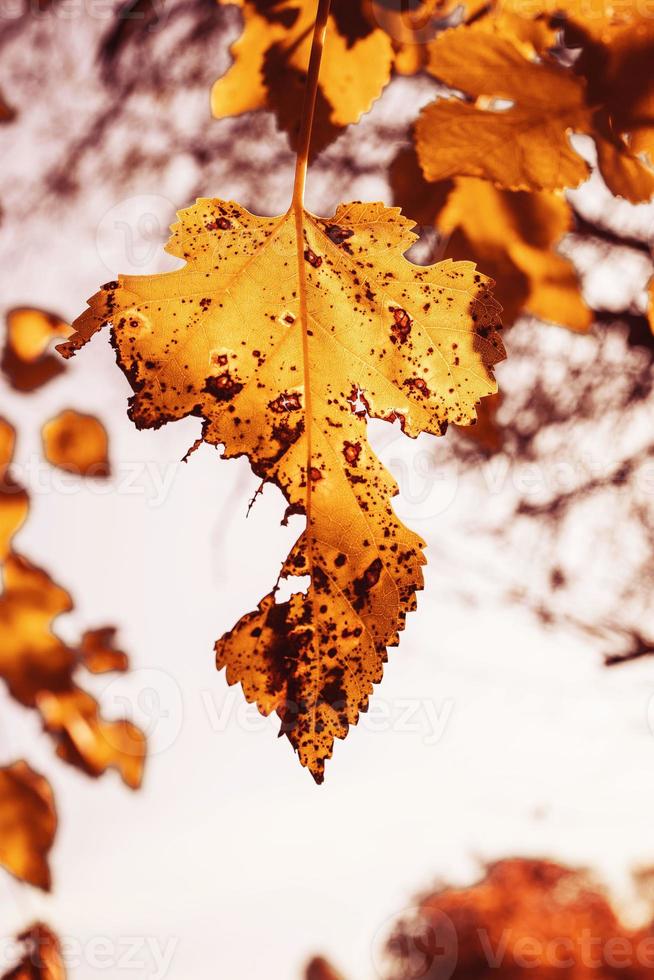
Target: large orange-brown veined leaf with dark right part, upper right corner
[(515, 129)]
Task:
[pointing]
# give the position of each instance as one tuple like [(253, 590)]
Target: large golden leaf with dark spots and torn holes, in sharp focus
[(283, 334)]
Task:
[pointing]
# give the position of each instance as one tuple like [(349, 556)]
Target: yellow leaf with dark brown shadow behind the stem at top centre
[(271, 58)]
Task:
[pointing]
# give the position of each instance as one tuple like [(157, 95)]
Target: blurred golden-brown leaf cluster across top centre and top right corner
[(491, 160)]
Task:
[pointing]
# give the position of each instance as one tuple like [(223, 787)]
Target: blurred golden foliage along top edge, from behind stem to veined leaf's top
[(366, 41)]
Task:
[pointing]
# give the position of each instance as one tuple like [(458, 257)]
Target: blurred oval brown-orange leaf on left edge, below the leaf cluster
[(28, 823)]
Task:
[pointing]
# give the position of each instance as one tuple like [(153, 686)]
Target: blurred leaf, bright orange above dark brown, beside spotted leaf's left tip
[(26, 363)]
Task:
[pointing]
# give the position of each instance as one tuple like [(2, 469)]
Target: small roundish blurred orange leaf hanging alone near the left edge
[(77, 443)]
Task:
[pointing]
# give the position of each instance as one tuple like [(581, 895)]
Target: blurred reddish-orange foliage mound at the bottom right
[(524, 917)]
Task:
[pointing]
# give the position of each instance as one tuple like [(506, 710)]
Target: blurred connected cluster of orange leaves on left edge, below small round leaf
[(39, 668)]
